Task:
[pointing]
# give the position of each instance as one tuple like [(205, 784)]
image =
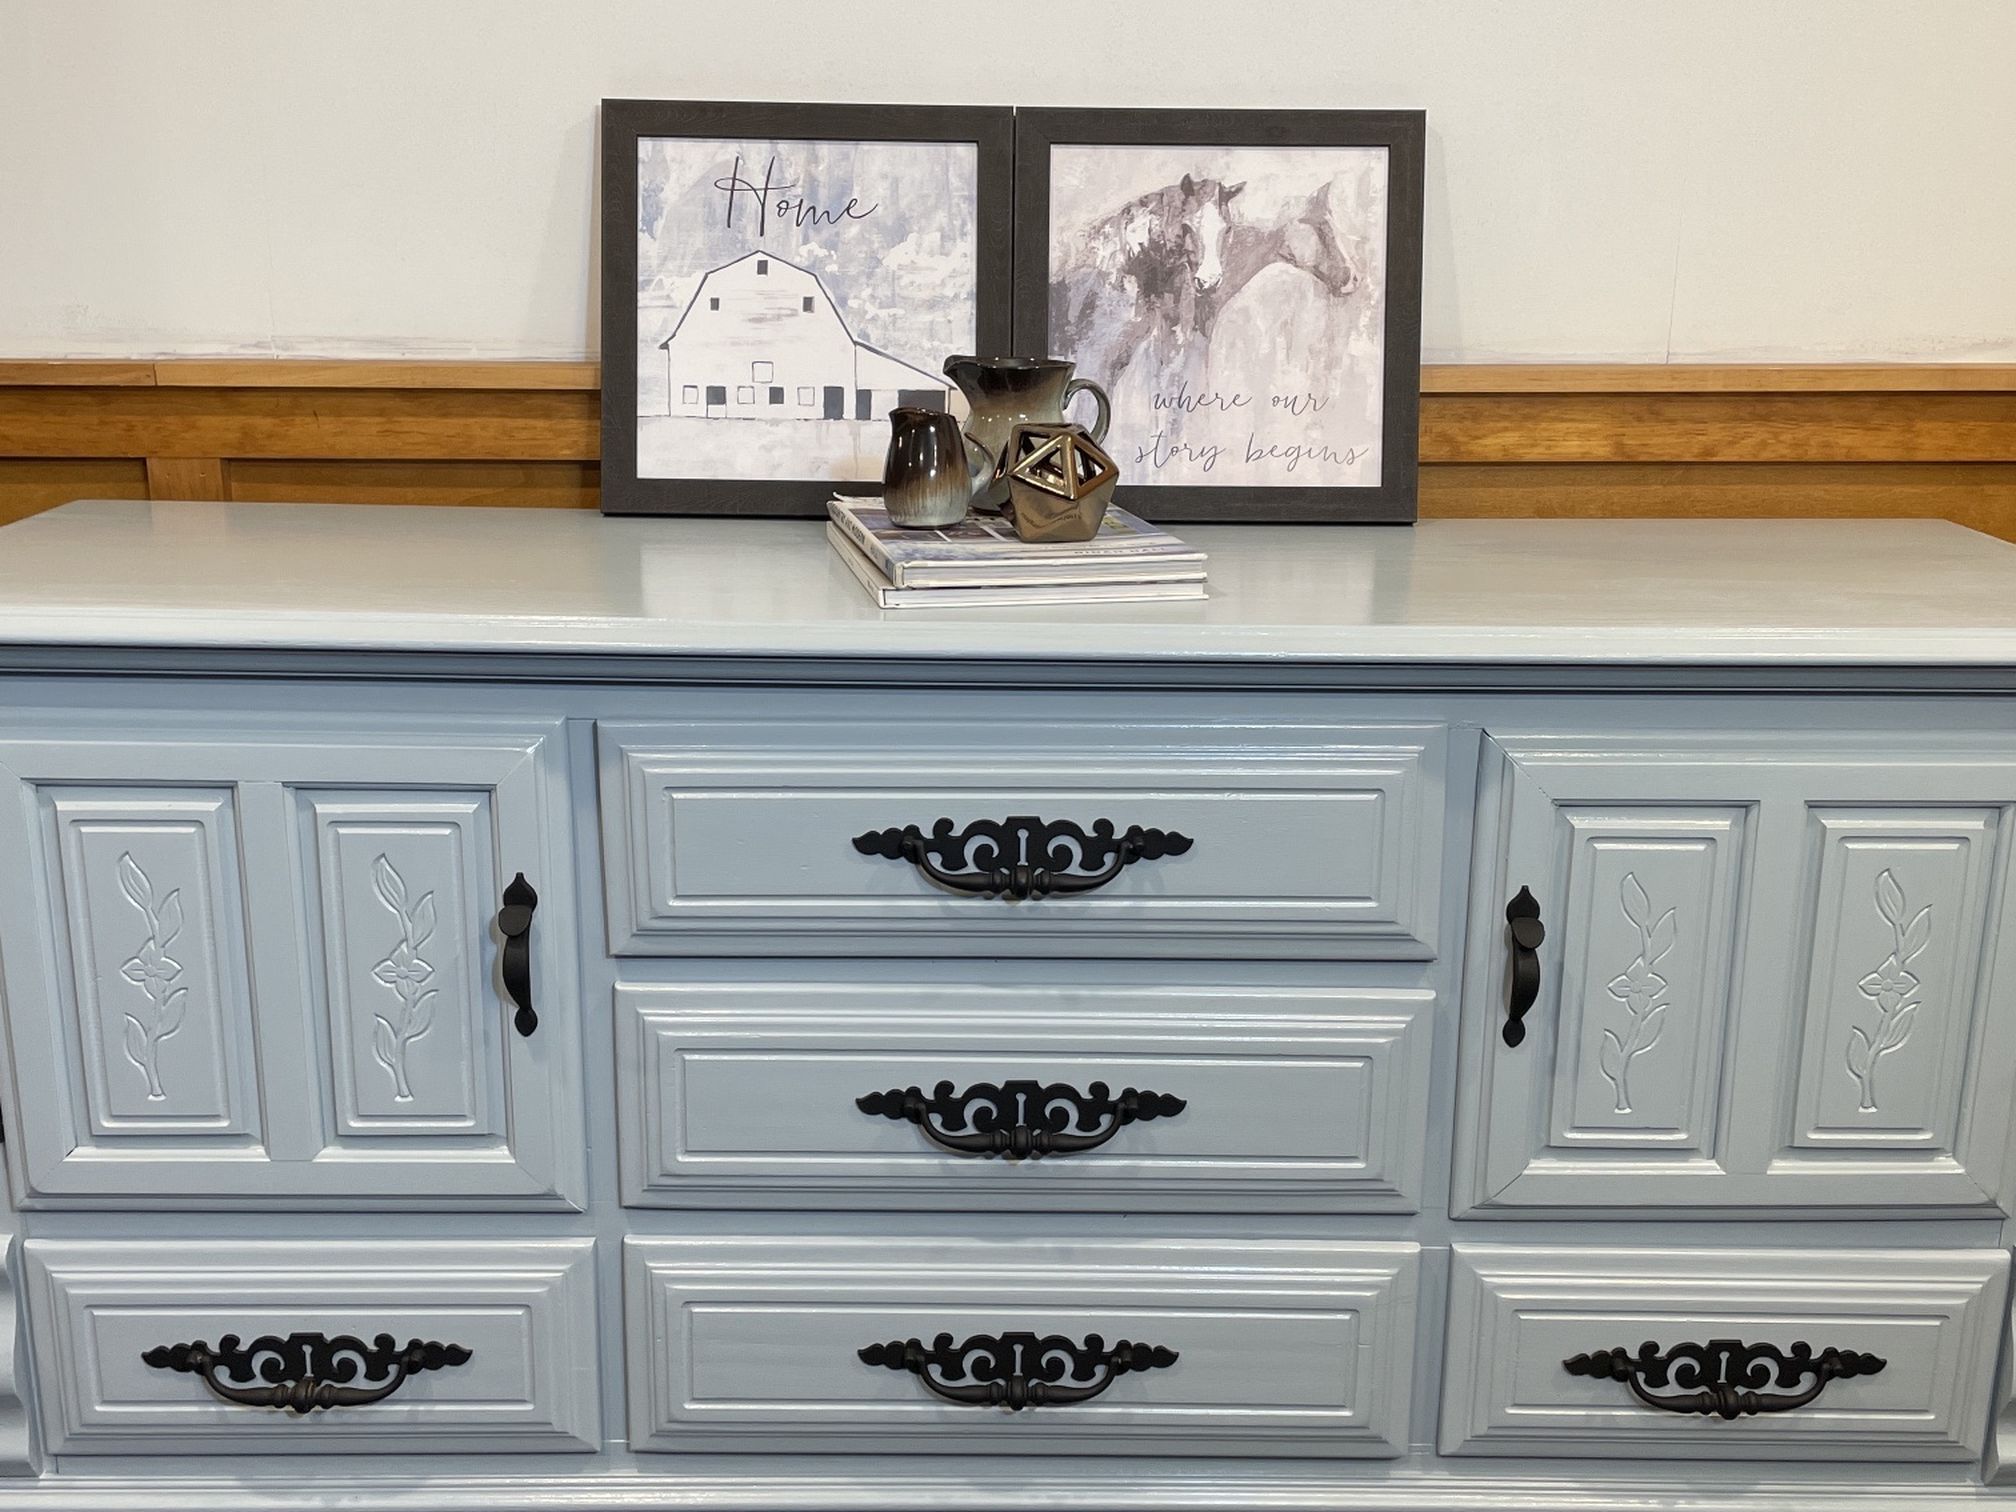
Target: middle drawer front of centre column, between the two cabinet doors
[(1289, 1100)]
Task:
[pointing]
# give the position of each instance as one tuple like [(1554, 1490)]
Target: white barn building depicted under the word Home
[(763, 340)]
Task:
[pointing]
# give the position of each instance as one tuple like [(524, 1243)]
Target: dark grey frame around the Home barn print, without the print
[(628, 122)]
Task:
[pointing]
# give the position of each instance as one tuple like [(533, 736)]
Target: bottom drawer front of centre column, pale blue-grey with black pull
[(1265, 1350)]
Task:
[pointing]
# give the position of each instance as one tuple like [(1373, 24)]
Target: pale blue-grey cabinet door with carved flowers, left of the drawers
[(265, 971)]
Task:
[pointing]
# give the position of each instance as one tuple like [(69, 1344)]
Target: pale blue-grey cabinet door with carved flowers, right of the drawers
[(1767, 979)]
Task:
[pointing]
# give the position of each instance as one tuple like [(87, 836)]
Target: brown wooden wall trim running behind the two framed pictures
[(1497, 440)]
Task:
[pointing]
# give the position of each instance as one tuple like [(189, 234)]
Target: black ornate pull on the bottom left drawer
[(305, 1370)]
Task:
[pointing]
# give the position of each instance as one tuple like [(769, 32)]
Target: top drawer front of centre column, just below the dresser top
[(1305, 840)]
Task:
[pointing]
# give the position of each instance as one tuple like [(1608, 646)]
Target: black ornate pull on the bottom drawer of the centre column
[(1017, 1370)]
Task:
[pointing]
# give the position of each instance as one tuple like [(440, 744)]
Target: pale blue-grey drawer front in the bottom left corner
[(523, 1313)]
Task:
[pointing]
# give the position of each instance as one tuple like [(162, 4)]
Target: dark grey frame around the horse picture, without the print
[(1404, 134)]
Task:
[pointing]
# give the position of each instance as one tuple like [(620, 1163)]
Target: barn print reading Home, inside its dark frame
[(791, 295)]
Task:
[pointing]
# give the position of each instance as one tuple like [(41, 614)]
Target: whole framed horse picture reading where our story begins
[(1247, 289)]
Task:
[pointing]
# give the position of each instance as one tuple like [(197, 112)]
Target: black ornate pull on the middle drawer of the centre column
[(1021, 1120)]
